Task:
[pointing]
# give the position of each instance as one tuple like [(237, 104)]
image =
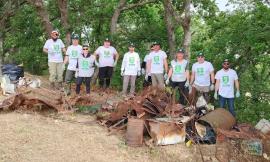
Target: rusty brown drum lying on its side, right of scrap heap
[(219, 118)]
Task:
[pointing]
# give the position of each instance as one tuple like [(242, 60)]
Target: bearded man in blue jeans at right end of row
[(226, 81)]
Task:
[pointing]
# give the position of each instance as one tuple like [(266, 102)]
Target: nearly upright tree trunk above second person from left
[(63, 7)]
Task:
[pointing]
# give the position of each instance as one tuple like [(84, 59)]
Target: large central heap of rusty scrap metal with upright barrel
[(155, 113)]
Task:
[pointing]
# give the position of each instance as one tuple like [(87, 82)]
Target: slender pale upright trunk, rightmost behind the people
[(186, 27)]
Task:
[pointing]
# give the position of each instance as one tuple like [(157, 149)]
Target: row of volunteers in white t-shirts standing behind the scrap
[(81, 64)]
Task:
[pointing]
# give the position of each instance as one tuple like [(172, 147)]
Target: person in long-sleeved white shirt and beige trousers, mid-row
[(130, 69)]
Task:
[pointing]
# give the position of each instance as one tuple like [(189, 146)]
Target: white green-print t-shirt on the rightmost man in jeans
[(226, 84)]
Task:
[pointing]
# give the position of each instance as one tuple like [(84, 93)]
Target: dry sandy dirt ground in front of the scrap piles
[(32, 137)]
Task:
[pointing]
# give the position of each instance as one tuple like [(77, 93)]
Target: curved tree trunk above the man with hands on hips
[(115, 16)]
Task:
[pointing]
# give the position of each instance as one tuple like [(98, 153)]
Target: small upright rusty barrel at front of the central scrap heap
[(134, 134)]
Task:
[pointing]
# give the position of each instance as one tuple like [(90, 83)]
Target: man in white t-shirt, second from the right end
[(203, 77)]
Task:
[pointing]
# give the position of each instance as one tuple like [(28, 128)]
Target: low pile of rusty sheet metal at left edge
[(36, 99)]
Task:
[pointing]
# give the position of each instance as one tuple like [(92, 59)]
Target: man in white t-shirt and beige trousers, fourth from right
[(157, 61)]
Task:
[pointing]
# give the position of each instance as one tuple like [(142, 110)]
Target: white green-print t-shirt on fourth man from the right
[(157, 61)]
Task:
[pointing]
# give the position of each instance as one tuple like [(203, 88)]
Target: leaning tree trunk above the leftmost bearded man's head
[(43, 14)]
